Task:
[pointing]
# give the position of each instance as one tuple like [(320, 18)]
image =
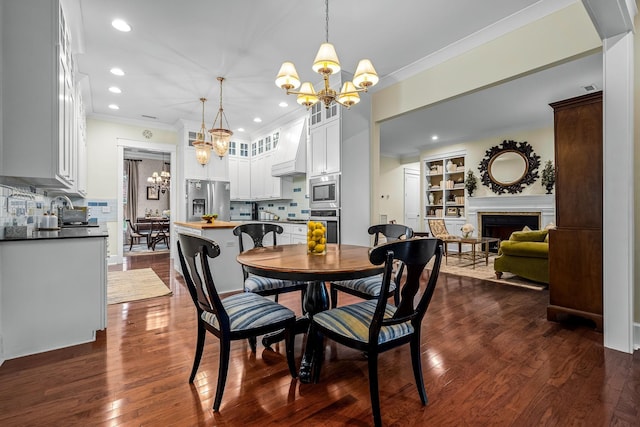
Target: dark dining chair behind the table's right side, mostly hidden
[(369, 287)]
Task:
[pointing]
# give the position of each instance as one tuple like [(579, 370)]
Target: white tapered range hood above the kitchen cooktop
[(291, 156)]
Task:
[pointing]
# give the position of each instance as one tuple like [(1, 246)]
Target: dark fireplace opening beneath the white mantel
[(501, 225)]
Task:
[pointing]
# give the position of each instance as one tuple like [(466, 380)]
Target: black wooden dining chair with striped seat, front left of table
[(237, 317)]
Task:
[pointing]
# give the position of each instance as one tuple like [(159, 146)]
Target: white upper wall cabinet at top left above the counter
[(39, 96)]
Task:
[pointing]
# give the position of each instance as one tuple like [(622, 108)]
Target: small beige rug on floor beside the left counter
[(133, 285)]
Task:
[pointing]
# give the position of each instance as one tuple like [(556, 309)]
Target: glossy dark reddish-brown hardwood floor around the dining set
[(490, 357)]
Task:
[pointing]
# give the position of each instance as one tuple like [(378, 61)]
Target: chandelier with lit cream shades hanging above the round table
[(327, 63)]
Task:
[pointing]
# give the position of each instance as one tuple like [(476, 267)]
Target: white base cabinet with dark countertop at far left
[(53, 290)]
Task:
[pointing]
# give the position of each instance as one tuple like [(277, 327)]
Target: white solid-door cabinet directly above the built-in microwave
[(324, 149)]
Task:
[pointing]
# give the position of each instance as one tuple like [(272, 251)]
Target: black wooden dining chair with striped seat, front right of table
[(375, 326)]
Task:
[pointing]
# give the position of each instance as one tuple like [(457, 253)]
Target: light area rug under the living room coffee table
[(463, 266)]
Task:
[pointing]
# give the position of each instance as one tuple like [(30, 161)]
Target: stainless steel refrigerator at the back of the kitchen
[(208, 197)]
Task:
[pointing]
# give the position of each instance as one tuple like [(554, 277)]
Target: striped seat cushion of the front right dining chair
[(352, 321)]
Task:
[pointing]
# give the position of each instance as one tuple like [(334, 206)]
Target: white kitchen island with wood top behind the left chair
[(227, 272)]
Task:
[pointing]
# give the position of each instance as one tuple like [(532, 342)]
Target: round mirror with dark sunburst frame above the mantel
[(509, 167)]
